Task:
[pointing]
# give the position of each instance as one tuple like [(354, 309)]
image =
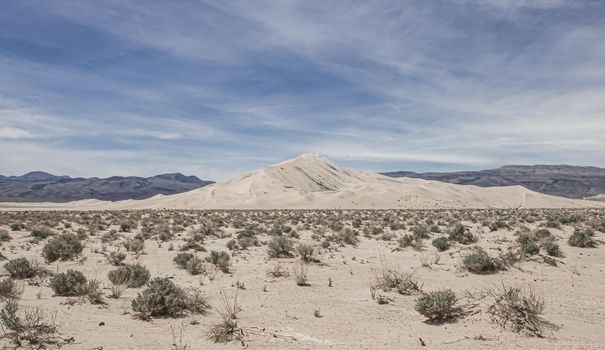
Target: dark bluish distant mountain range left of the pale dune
[(38, 186)]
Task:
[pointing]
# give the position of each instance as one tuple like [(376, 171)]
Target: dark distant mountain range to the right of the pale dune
[(559, 180)]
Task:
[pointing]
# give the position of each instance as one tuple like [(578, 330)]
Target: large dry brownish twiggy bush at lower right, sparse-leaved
[(518, 309)]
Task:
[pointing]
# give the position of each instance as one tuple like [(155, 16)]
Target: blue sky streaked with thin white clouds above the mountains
[(216, 88)]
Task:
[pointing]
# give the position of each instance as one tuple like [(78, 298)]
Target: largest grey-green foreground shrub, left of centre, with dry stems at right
[(162, 298)]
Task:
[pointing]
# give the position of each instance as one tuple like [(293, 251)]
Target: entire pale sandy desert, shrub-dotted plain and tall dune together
[(306, 254)]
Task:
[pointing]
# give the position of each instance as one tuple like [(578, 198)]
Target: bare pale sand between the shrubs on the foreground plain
[(278, 314)]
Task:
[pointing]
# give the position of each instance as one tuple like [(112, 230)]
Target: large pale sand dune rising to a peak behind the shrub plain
[(311, 181)]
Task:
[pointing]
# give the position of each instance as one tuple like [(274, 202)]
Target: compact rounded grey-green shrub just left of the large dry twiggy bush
[(439, 305)]
